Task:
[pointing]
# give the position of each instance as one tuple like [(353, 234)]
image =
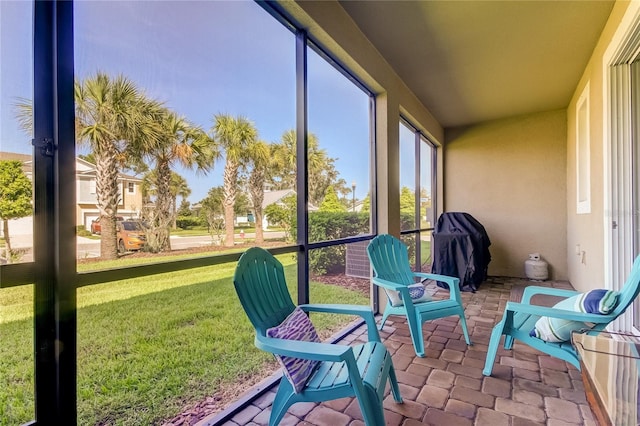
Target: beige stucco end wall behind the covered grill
[(511, 176)]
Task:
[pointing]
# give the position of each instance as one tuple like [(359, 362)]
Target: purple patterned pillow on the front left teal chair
[(296, 326)]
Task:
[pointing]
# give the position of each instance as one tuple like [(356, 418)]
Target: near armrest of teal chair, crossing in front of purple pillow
[(305, 350)]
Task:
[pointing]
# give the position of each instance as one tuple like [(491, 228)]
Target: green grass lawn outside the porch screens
[(147, 347)]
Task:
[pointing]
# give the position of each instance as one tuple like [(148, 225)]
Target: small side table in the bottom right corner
[(610, 366)]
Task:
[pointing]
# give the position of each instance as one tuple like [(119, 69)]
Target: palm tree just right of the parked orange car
[(183, 143)]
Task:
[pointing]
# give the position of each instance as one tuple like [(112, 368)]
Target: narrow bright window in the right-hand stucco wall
[(583, 161)]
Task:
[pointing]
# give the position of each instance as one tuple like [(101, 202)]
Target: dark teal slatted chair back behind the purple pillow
[(261, 287)]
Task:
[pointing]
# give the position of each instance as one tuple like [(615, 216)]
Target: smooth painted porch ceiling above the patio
[(473, 61)]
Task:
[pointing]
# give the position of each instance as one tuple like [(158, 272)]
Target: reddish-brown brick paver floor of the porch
[(447, 387)]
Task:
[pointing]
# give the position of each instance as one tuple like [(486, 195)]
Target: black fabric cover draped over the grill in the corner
[(461, 249)]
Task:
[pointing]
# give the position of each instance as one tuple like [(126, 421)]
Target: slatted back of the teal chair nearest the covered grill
[(390, 259)]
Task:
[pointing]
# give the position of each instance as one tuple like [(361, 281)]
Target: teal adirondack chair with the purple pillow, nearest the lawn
[(361, 370)]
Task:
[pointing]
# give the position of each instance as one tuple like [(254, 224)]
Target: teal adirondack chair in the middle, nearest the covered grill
[(390, 261)]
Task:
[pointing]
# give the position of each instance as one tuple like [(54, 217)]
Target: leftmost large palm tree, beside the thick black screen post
[(116, 120)]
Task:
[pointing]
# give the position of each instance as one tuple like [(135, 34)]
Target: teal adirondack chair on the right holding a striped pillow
[(520, 318)]
